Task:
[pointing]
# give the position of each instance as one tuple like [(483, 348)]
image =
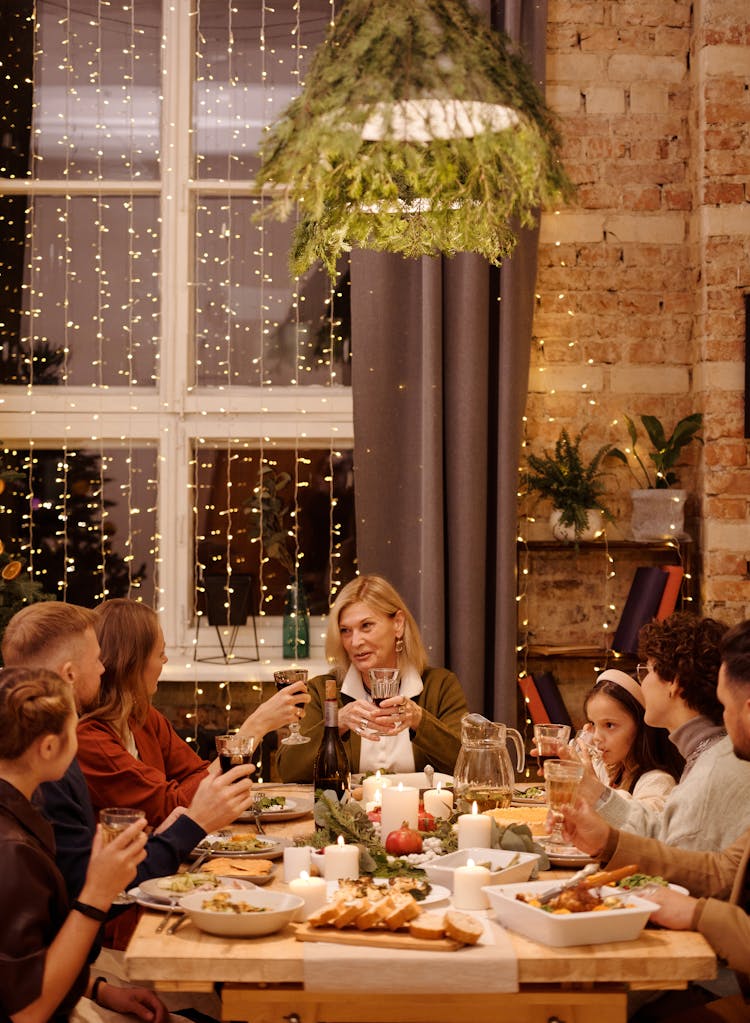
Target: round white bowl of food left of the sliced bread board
[(281, 909)]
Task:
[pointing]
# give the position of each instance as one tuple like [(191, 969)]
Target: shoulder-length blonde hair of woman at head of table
[(379, 595)]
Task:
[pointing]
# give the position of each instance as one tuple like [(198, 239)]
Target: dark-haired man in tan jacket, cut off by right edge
[(719, 882)]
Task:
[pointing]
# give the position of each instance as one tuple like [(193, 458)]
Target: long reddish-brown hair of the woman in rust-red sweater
[(127, 633)]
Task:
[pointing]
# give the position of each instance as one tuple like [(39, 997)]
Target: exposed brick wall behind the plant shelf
[(642, 280)]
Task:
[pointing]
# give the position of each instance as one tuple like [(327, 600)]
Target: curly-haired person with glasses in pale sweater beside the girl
[(709, 809)]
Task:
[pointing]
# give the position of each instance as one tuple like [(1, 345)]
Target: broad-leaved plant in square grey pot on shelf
[(658, 506)]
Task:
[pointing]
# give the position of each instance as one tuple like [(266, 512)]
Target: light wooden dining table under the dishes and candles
[(263, 980)]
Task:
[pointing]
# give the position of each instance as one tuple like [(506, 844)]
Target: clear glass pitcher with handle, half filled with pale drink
[(483, 773)]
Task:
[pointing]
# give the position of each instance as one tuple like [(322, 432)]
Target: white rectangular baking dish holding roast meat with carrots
[(562, 930)]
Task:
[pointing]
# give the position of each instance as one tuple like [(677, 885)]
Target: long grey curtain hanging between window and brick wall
[(440, 374)]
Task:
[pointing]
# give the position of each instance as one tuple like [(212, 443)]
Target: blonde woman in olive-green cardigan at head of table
[(370, 627)]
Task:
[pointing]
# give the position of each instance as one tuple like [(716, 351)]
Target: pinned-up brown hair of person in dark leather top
[(34, 702)]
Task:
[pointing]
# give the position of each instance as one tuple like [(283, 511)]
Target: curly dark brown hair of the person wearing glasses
[(685, 649)]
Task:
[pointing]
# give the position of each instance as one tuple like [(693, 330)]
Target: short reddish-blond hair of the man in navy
[(43, 635)]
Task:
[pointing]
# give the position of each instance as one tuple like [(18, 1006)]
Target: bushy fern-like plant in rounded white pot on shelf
[(575, 485)]
